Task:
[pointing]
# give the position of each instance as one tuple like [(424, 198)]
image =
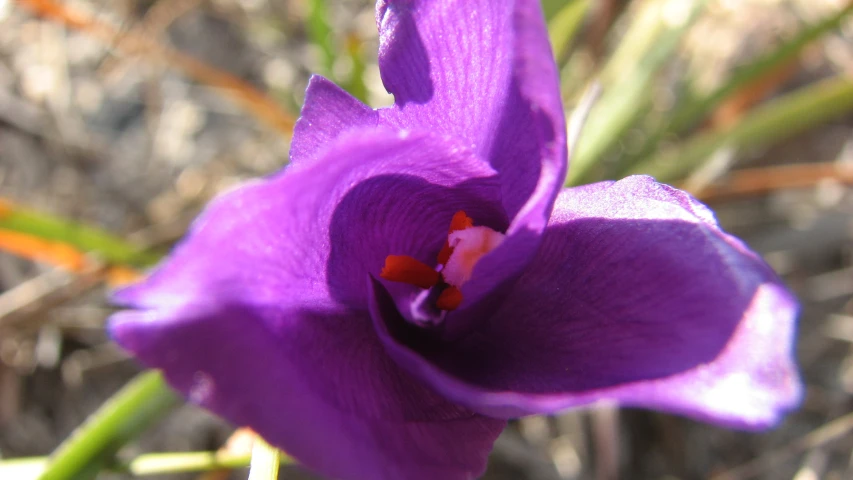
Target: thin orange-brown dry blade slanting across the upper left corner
[(253, 100)]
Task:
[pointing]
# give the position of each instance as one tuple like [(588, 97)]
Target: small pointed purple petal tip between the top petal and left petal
[(328, 113)]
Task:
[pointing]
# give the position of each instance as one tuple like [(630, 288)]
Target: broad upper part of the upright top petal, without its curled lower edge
[(479, 69)]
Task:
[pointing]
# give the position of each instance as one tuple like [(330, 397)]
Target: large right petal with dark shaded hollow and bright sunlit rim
[(636, 296)]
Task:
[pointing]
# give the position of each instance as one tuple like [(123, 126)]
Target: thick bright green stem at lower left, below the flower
[(135, 407)]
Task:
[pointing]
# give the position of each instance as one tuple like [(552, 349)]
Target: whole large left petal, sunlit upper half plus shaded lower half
[(260, 313)]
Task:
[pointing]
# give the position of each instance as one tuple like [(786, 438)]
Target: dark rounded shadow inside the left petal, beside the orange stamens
[(399, 215)]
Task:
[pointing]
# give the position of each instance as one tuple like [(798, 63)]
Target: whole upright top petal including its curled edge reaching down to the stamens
[(483, 71)]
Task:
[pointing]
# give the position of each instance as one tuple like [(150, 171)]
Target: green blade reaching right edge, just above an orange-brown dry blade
[(787, 115)]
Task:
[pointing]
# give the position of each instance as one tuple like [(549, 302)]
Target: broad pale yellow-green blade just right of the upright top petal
[(627, 80)]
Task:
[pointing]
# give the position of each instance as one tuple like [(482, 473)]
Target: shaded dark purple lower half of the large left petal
[(320, 386)]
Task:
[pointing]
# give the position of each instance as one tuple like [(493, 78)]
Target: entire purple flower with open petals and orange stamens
[(417, 274)]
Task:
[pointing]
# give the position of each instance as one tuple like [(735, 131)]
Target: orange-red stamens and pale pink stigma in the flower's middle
[(465, 246)]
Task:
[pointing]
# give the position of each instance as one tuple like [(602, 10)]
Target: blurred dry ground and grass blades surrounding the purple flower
[(120, 119)]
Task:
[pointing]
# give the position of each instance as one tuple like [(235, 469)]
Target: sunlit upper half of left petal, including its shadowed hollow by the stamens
[(316, 232)]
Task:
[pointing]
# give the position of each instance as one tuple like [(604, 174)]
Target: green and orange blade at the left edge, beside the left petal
[(62, 237)]
